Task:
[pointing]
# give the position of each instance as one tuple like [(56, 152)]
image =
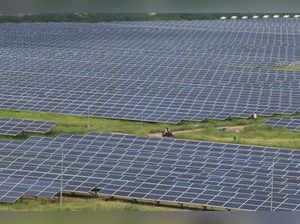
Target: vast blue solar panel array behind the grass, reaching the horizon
[(151, 71)]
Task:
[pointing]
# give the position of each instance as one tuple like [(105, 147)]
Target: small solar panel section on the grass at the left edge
[(13, 127)]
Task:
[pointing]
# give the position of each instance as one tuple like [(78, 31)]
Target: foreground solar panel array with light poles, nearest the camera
[(157, 169)]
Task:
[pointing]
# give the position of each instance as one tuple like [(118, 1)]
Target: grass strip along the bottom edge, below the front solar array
[(86, 212)]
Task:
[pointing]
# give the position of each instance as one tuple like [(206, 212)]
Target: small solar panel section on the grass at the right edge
[(290, 124)]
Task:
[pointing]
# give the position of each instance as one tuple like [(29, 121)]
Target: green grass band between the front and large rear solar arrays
[(254, 134)]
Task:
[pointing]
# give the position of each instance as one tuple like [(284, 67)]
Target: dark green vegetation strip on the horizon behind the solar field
[(108, 17)]
